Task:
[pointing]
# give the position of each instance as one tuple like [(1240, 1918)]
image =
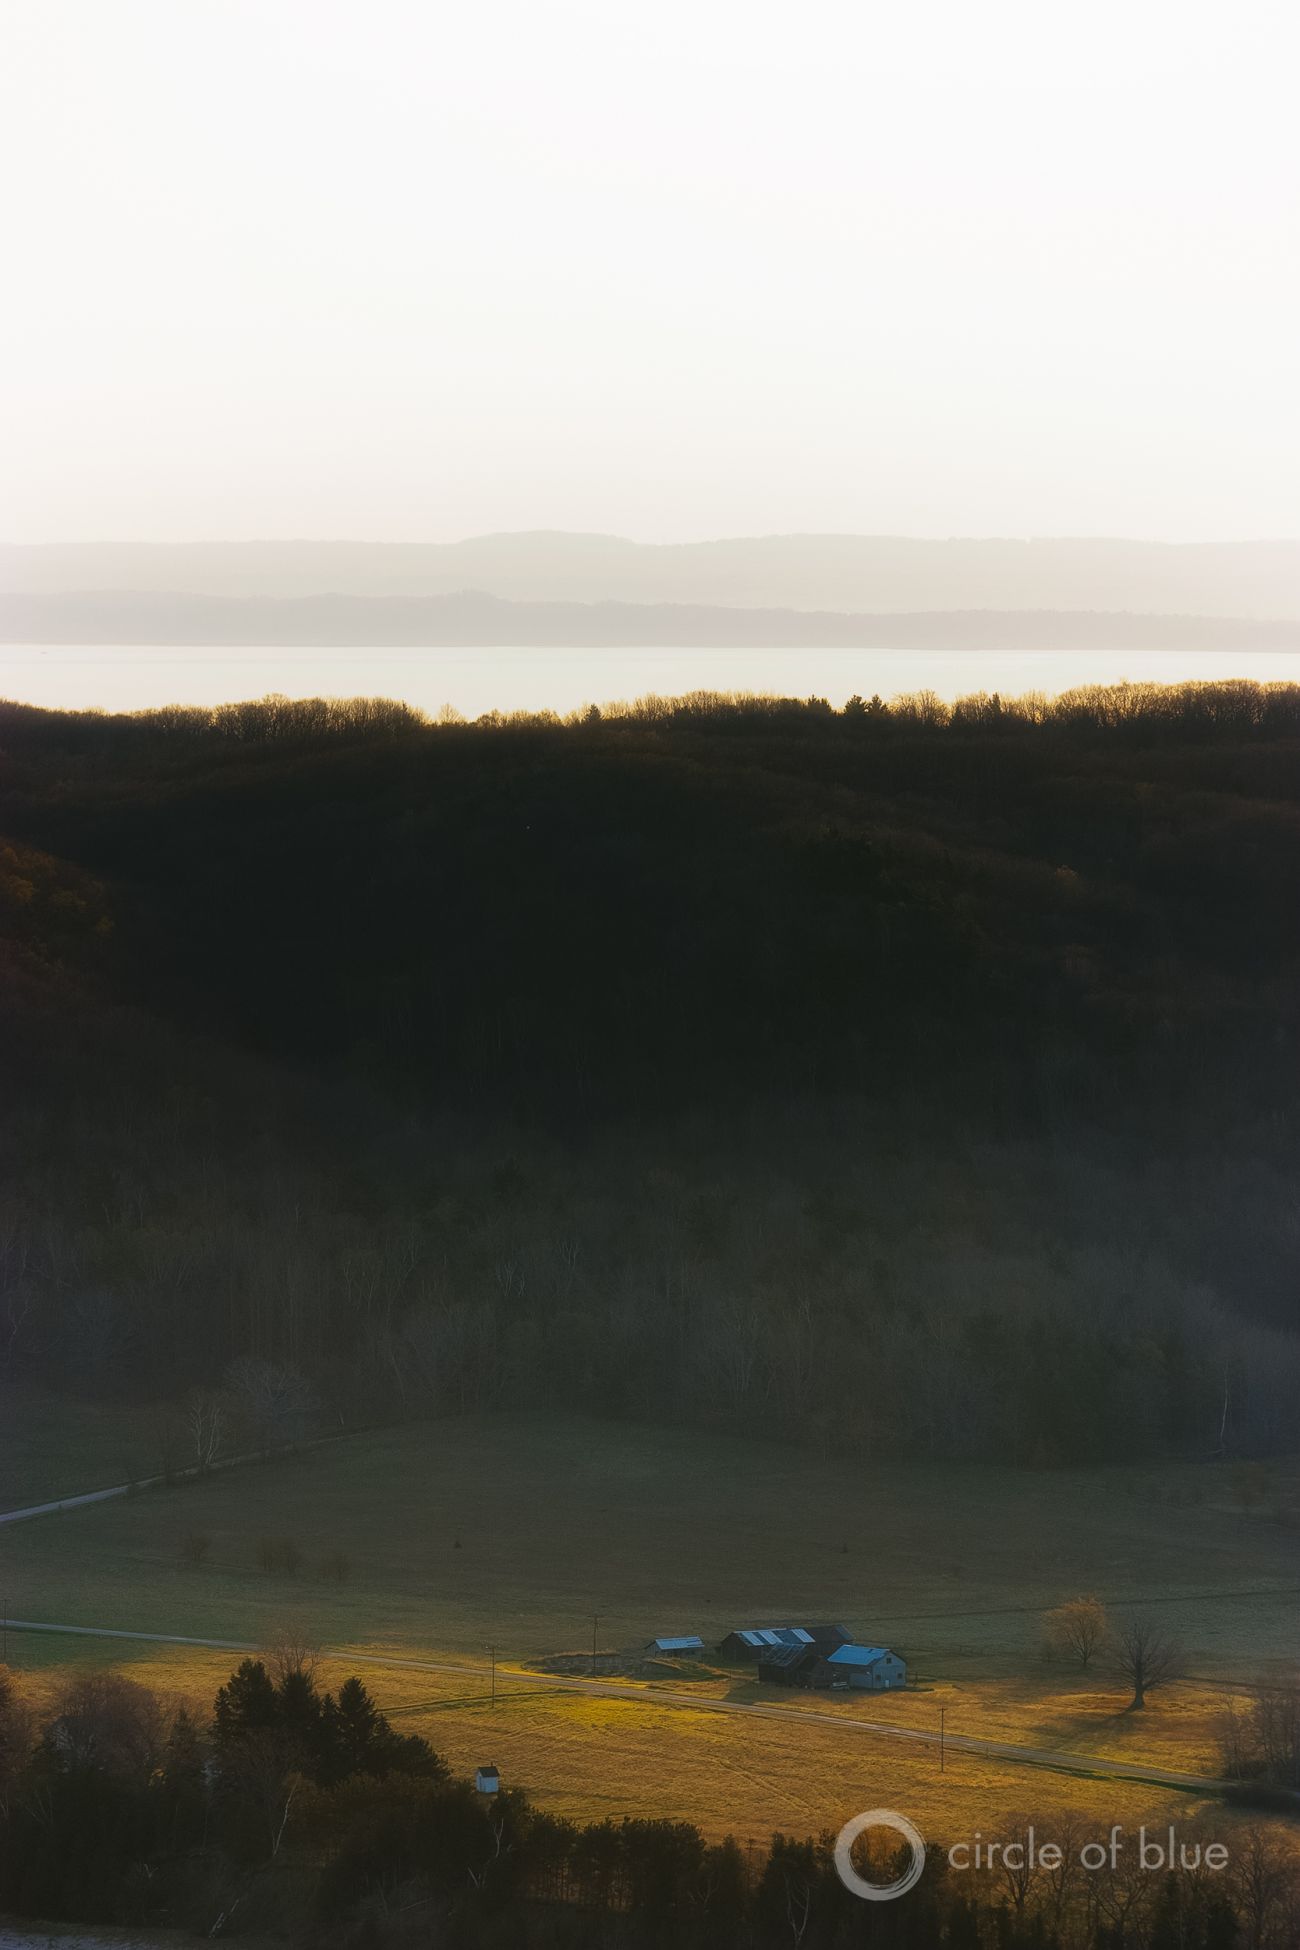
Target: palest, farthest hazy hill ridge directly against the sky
[(804, 572)]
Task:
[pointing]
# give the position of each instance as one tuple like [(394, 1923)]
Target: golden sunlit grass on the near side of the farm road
[(592, 1758)]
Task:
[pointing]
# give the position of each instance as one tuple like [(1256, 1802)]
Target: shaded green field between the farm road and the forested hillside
[(517, 1530)]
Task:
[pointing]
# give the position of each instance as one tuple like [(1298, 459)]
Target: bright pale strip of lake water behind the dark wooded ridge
[(126, 680)]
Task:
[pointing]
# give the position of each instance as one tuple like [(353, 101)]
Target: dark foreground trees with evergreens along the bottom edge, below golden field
[(299, 1814)]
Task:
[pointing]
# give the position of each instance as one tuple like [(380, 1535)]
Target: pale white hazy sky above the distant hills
[(673, 270)]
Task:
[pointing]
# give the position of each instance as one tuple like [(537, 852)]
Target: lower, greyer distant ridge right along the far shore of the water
[(478, 619)]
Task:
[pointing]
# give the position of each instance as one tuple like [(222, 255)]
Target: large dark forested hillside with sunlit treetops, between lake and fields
[(903, 1081)]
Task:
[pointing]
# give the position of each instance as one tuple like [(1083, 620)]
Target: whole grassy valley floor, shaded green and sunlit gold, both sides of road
[(519, 1530)]
